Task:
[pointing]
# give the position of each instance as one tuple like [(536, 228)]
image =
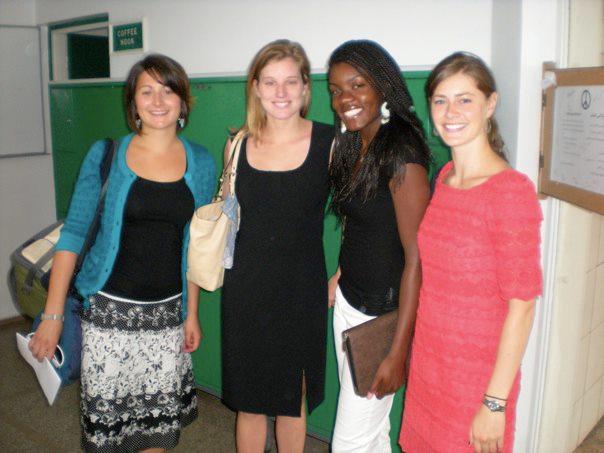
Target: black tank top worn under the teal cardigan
[(148, 263)]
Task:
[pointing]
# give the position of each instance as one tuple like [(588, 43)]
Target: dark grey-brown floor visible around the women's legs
[(27, 424)]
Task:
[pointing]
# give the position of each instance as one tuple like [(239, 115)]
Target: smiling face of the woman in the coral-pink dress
[(460, 111)]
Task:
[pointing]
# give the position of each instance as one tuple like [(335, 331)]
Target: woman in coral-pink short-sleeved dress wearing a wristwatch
[(479, 246)]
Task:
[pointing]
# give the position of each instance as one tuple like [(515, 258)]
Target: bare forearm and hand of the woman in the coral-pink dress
[(487, 430)]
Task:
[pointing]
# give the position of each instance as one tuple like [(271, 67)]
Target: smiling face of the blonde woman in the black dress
[(280, 89)]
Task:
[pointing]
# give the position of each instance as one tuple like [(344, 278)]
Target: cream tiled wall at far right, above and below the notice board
[(575, 357)]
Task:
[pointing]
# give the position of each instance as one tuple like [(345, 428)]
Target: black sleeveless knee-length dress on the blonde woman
[(274, 299)]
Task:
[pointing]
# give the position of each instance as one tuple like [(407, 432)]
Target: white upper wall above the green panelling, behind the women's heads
[(222, 36)]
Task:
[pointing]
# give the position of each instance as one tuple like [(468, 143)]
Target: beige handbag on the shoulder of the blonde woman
[(208, 232)]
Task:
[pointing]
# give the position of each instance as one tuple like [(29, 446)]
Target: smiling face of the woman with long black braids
[(354, 99)]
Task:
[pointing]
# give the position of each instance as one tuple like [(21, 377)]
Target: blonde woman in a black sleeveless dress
[(274, 310)]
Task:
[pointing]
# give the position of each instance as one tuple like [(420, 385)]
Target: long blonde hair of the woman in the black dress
[(278, 50)]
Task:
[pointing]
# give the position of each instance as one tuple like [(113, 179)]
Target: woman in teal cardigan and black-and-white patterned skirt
[(139, 322)]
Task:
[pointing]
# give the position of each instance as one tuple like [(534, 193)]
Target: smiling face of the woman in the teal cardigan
[(157, 105)]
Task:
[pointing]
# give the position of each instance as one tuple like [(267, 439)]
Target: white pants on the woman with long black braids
[(362, 425)]
